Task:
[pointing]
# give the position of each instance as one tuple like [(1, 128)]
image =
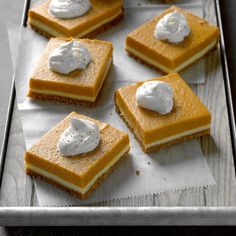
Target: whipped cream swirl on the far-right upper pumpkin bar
[(173, 27)]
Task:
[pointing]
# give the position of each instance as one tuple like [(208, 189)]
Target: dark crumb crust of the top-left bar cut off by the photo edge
[(89, 35)]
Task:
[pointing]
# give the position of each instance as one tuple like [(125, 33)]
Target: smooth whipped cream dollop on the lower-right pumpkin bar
[(156, 96)]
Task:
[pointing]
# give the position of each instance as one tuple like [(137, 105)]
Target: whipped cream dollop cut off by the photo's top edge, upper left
[(66, 9)]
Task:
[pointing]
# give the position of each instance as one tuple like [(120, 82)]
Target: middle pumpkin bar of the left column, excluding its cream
[(79, 86)]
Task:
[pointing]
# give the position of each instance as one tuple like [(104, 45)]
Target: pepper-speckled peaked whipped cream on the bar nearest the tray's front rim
[(81, 136)]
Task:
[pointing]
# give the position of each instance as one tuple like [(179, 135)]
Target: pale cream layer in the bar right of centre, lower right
[(167, 139)]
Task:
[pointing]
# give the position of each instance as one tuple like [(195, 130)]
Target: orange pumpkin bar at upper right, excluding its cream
[(172, 57)]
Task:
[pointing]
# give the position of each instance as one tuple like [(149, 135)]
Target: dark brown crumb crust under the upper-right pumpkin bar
[(163, 72)]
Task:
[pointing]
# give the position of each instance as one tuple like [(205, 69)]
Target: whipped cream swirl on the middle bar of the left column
[(68, 57)]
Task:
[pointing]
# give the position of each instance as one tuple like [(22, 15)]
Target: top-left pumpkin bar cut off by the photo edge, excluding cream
[(102, 15)]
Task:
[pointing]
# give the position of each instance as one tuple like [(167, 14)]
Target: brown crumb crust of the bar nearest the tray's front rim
[(71, 191)]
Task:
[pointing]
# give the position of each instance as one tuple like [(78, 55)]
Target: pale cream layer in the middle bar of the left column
[(75, 96)]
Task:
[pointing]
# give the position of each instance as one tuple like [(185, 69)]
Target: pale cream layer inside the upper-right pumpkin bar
[(180, 67)]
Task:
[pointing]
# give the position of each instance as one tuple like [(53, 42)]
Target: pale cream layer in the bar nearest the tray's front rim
[(72, 186)]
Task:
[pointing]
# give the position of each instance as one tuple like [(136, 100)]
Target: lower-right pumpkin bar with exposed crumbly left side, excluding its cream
[(188, 119)]
